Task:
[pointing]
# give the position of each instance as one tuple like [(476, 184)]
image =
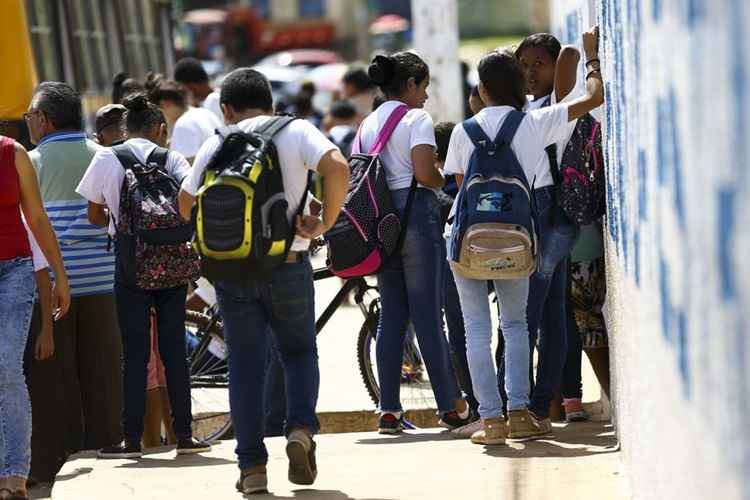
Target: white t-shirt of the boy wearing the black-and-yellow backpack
[(300, 147)]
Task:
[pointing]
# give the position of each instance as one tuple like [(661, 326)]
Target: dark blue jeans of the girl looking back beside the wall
[(547, 298)]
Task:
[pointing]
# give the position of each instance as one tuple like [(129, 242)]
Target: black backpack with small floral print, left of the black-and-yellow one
[(153, 250)]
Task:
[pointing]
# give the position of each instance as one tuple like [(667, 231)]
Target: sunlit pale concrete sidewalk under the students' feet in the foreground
[(580, 463)]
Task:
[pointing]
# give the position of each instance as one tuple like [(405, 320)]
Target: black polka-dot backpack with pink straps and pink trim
[(368, 229)]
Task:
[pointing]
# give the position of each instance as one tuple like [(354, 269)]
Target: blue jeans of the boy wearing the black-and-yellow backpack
[(285, 303)]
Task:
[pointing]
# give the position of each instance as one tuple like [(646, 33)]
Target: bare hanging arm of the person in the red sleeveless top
[(36, 218)]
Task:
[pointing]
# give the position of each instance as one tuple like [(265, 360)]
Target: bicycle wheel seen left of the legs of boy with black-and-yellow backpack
[(209, 377)]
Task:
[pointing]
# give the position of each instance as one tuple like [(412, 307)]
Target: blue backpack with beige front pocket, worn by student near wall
[(494, 234)]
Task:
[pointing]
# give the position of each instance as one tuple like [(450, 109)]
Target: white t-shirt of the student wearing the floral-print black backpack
[(102, 181)]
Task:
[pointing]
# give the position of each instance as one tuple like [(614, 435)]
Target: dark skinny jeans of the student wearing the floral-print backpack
[(134, 316)]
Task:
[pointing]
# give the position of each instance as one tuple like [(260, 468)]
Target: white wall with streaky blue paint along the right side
[(678, 273)]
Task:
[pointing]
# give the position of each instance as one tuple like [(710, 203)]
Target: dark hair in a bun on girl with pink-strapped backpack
[(392, 73)]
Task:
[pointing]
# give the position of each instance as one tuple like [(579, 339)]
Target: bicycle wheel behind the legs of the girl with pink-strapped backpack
[(416, 389)]
